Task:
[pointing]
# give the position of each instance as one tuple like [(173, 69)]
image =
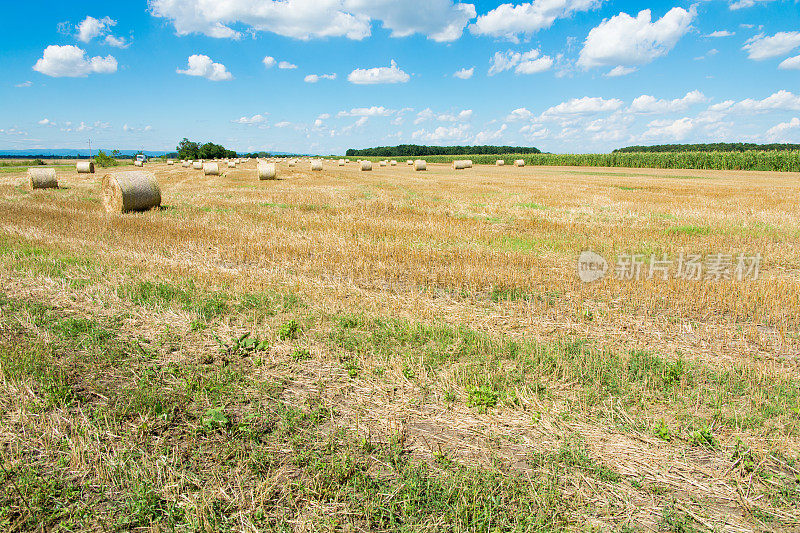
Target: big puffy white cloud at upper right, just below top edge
[(625, 40)]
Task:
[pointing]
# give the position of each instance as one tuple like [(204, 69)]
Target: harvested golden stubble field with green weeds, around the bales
[(402, 350)]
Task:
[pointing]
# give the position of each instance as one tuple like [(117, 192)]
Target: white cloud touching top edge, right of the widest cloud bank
[(510, 21)]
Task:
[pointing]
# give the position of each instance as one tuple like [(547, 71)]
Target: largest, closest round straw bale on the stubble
[(136, 190)]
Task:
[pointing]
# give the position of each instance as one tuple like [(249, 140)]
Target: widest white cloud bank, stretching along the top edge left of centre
[(440, 20)]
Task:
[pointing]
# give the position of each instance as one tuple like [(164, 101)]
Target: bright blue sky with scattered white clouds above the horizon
[(322, 76)]
